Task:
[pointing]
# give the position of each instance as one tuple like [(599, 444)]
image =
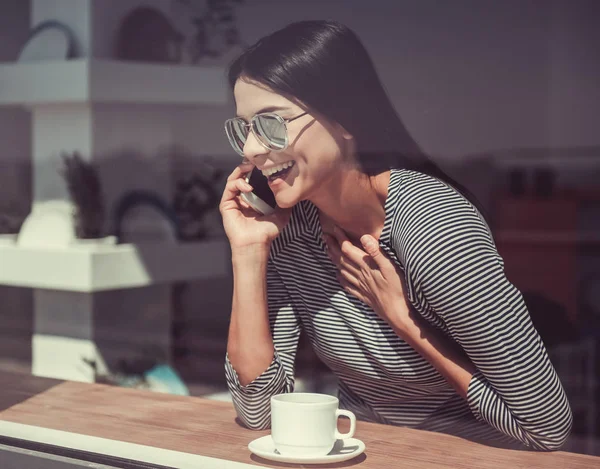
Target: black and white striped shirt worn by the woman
[(455, 280)]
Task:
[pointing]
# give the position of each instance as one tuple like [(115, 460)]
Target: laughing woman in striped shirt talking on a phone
[(377, 255)]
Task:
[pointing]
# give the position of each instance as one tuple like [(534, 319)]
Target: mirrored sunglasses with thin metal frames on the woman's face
[(269, 129)]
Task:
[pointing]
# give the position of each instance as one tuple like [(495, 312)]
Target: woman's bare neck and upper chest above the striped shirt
[(354, 202)]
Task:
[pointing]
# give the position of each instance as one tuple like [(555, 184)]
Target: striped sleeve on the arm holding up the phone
[(252, 402)]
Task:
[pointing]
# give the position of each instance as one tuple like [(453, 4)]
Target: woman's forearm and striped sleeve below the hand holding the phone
[(263, 338)]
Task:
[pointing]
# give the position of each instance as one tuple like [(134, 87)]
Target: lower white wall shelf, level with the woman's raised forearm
[(82, 269)]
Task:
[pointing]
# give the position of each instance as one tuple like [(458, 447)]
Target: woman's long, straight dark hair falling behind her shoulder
[(325, 66)]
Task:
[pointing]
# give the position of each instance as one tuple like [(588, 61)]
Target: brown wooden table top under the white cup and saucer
[(209, 428)]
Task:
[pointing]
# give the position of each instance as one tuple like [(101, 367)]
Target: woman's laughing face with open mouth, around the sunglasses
[(317, 149)]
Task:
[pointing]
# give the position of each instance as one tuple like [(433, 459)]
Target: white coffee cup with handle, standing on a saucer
[(305, 424)]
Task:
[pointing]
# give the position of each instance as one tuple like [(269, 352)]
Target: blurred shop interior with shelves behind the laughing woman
[(113, 263)]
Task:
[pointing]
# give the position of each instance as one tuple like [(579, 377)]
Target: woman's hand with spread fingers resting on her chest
[(370, 276)]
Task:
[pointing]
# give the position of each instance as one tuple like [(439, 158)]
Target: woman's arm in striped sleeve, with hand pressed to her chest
[(494, 357)]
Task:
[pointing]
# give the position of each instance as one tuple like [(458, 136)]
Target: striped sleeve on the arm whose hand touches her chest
[(457, 268)]
